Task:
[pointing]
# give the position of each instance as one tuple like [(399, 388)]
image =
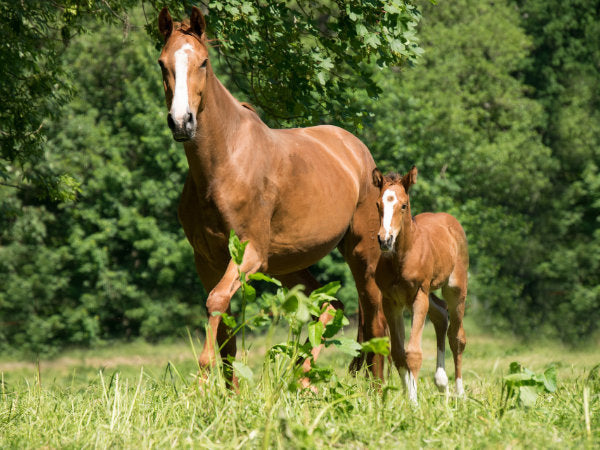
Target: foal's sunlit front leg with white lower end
[(414, 353)]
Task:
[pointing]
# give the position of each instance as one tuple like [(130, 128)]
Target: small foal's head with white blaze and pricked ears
[(393, 205)]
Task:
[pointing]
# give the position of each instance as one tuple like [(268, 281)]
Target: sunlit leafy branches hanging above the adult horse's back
[(303, 62)]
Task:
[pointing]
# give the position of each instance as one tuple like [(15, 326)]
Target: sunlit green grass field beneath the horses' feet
[(142, 396)]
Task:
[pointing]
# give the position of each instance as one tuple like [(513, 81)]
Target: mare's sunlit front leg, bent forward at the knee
[(219, 299)]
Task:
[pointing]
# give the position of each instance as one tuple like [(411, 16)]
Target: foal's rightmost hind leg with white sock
[(455, 296)]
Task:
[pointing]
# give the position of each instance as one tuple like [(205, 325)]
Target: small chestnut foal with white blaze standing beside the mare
[(420, 254)]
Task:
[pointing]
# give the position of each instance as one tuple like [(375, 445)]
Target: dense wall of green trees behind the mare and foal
[(500, 115)]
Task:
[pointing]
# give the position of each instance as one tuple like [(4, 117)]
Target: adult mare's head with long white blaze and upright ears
[(184, 64)]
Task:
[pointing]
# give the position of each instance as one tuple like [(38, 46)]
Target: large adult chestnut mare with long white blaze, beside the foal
[(294, 194)]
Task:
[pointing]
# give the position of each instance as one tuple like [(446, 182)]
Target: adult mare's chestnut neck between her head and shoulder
[(216, 133)]
